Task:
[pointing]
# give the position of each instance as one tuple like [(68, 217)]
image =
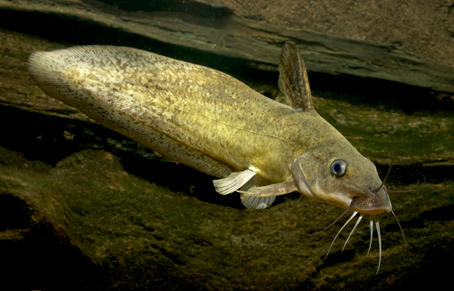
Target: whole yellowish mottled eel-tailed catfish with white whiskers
[(214, 123)]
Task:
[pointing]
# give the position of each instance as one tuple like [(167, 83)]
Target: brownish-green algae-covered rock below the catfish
[(148, 236)]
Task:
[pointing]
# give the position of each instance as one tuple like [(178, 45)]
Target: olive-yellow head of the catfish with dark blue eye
[(334, 172)]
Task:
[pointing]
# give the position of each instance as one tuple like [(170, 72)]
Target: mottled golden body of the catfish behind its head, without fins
[(188, 113)]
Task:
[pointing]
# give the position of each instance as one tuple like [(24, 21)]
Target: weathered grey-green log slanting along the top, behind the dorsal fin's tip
[(213, 28)]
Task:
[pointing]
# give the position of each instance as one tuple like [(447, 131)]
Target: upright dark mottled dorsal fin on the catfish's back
[(293, 81)]
